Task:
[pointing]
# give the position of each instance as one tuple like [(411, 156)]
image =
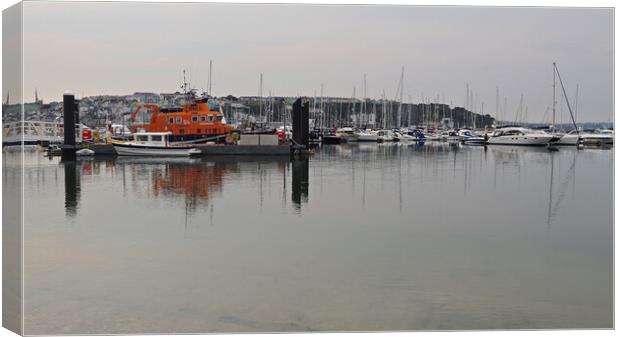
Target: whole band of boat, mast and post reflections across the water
[(404, 171)]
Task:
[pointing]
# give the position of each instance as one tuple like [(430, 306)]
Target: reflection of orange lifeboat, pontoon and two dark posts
[(199, 180)]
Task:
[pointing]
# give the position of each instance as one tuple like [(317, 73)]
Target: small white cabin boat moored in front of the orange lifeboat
[(153, 144)]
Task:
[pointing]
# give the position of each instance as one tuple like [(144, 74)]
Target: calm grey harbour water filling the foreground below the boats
[(359, 237)]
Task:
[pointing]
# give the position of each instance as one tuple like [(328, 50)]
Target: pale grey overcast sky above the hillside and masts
[(121, 48)]
